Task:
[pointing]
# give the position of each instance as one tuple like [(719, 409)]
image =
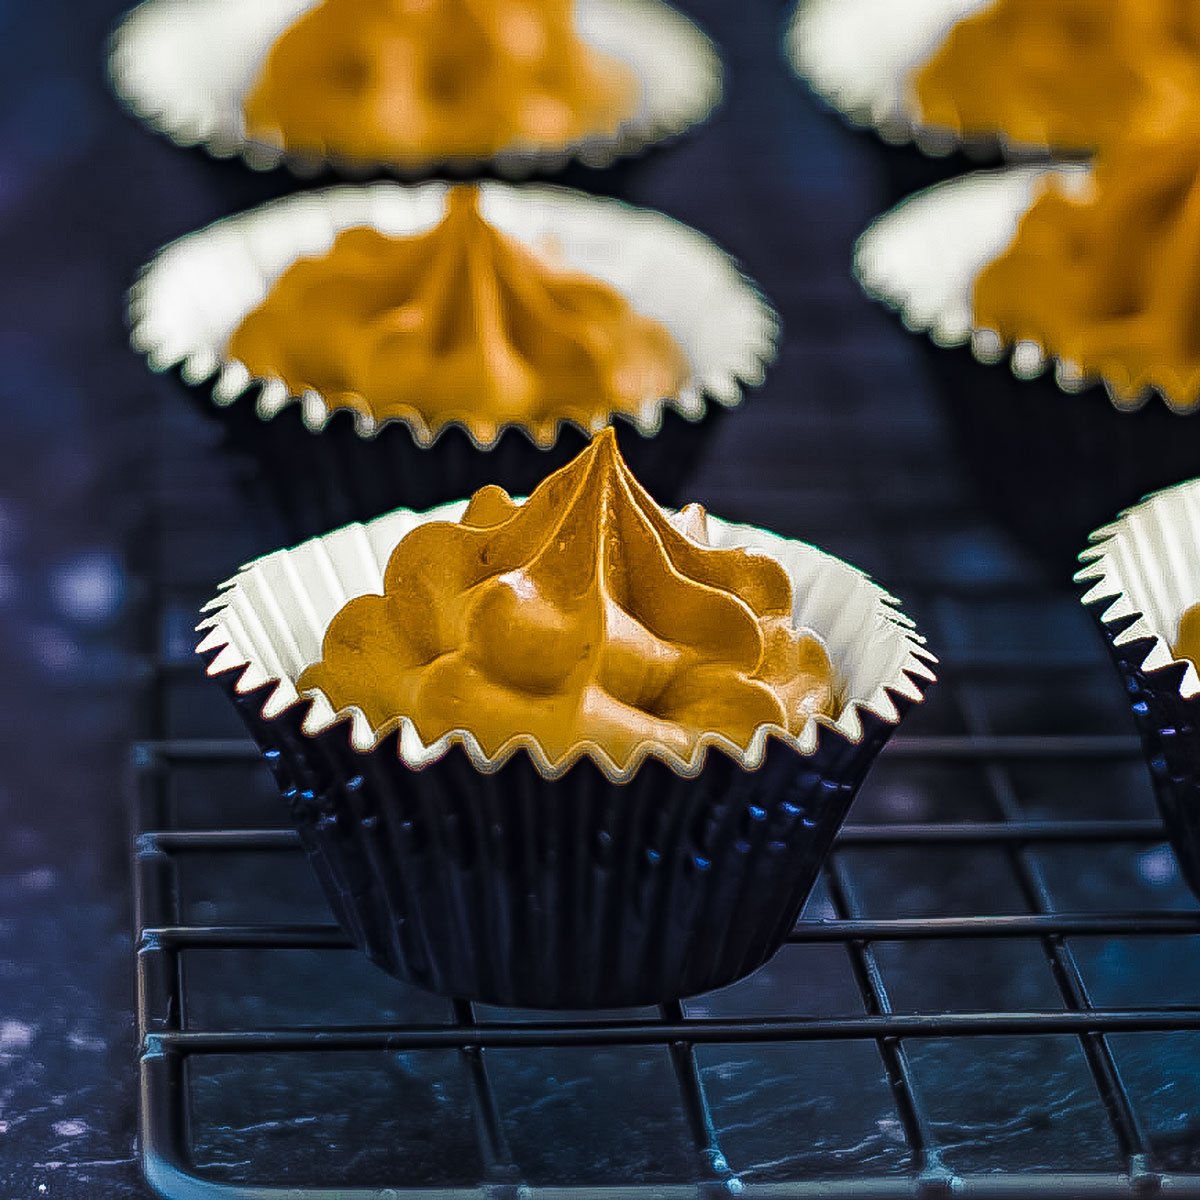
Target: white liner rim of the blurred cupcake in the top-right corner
[(860, 57)]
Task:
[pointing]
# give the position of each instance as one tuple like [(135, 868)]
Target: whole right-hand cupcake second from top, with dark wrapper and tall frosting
[(1088, 272)]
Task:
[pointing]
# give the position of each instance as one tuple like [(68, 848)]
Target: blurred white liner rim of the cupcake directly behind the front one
[(189, 301)]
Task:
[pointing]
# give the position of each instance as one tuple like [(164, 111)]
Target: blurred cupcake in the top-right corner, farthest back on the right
[(983, 79)]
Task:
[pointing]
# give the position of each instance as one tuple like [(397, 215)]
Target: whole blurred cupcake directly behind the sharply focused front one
[(369, 347)]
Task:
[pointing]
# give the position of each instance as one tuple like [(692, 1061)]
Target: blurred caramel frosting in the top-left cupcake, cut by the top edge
[(410, 82)]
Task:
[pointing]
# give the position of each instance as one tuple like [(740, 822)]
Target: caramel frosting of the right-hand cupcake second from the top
[(1109, 280)]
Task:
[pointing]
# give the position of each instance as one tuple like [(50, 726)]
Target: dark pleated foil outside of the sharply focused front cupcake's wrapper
[(519, 891)]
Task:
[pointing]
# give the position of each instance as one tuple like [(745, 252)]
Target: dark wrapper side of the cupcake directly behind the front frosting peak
[(319, 481)]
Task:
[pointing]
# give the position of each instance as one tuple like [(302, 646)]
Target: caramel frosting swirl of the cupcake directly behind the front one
[(464, 325)]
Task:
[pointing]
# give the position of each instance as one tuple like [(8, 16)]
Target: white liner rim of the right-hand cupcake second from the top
[(922, 259)]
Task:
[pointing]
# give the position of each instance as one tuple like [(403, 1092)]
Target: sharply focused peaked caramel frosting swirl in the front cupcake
[(583, 616)]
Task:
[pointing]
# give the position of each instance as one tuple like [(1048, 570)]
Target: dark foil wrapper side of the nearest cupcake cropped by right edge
[(1169, 728)]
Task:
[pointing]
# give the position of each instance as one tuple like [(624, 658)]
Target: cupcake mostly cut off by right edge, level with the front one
[(1142, 577)]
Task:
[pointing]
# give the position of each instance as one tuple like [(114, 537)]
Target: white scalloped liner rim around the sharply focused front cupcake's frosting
[(269, 622)]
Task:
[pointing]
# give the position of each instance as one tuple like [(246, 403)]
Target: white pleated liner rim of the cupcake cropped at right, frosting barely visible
[(1147, 565)]
